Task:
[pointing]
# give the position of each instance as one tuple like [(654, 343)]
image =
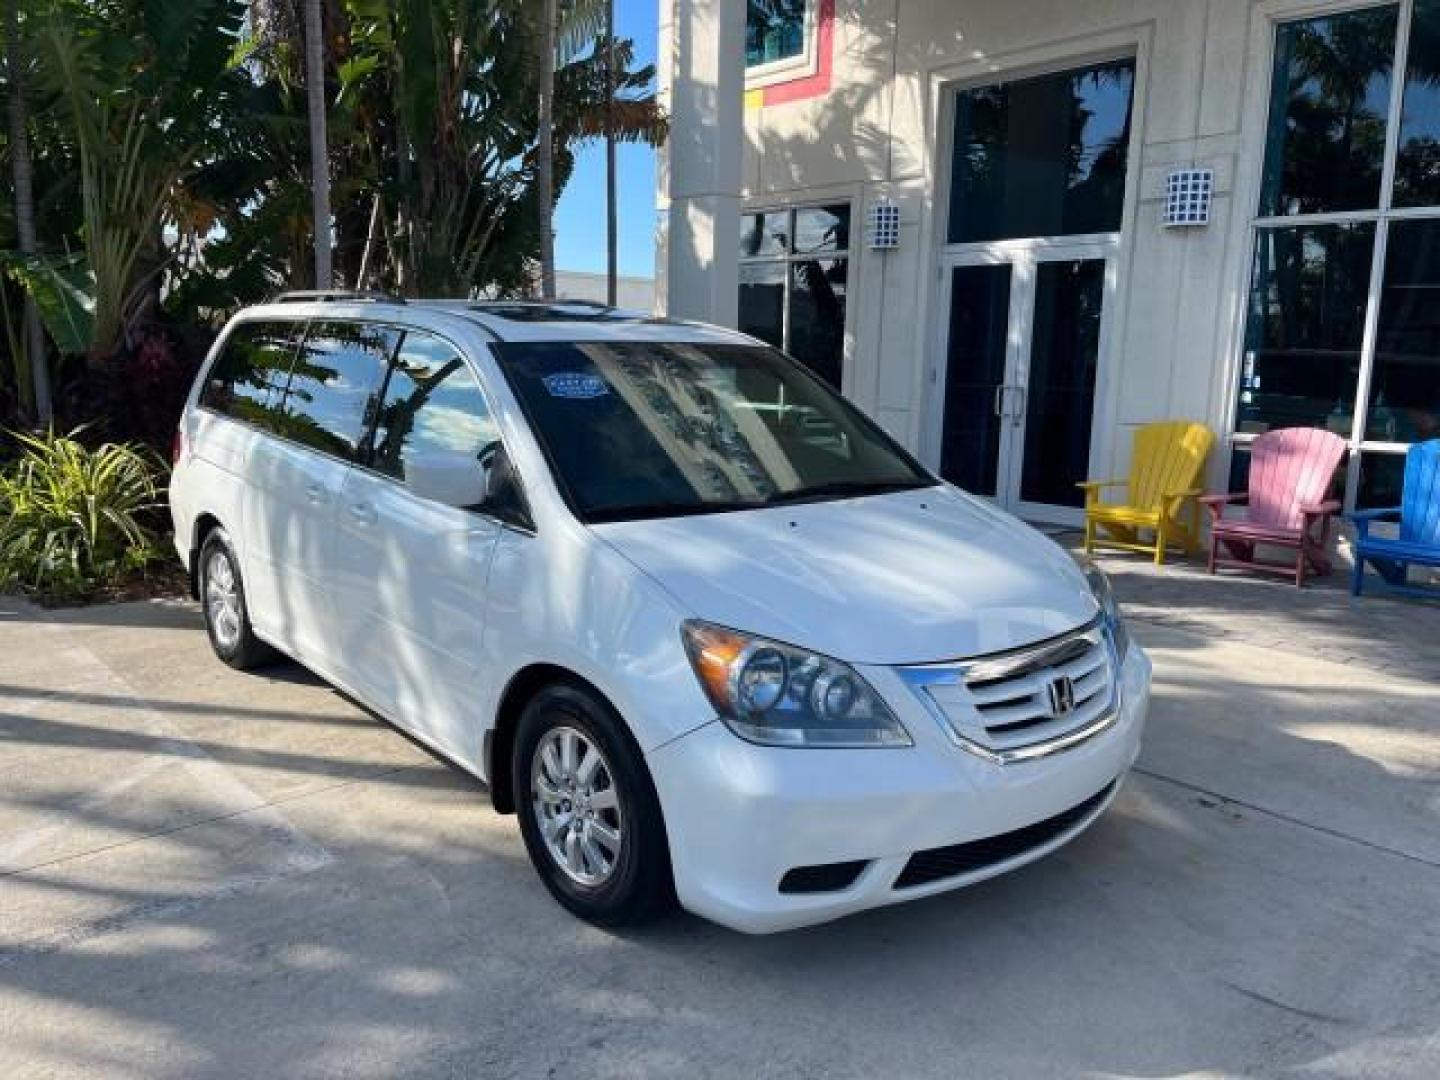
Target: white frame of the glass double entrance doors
[(1025, 260)]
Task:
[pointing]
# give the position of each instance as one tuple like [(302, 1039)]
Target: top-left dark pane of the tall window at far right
[(1328, 106)]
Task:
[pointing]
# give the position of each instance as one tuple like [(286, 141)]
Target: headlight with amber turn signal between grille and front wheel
[(780, 696)]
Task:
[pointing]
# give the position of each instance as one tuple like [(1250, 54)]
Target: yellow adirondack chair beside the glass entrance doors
[(1166, 474)]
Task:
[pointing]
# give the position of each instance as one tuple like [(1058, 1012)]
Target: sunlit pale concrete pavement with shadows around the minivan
[(211, 875)]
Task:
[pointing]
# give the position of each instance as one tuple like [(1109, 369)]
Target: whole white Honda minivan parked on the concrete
[(702, 626)]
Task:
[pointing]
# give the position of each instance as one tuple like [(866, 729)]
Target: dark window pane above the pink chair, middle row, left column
[(1310, 289)]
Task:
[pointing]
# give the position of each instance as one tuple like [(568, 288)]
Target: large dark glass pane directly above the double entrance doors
[(1042, 158)]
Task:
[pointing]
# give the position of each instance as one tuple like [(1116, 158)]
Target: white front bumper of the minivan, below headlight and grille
[(741, 816)]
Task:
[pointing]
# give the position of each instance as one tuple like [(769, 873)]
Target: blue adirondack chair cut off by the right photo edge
[(1419, 518)]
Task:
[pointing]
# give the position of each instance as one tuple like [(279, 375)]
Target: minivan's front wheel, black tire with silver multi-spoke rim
[(588, 810)]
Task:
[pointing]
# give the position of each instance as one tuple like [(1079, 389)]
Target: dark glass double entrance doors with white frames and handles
[(1022, 362)]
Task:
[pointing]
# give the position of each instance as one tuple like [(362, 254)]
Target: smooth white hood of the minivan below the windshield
[(908, 578)]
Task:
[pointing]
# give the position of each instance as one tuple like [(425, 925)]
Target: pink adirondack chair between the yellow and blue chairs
[(1291, 476)]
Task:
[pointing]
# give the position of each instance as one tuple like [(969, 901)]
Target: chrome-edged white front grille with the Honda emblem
[(1027, 702)]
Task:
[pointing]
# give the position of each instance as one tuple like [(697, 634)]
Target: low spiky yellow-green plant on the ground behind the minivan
[(76, 519)]
